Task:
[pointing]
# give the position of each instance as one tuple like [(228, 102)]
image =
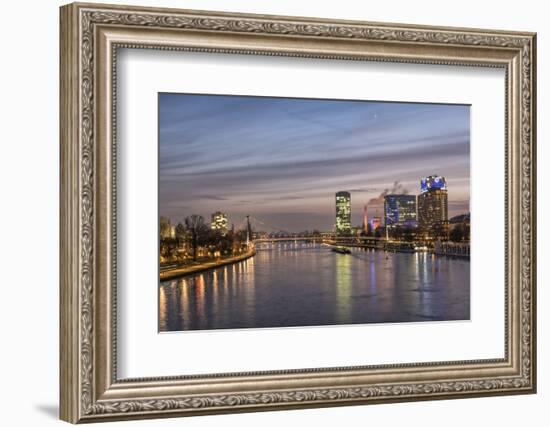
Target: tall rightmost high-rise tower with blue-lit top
[(433, 210)]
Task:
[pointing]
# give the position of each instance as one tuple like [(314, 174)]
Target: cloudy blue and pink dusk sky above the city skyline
[(281, 160)]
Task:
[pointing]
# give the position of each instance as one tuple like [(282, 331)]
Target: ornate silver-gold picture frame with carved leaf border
[(91, 390)]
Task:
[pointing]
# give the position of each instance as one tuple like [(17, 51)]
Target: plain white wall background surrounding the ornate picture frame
[(29, 171)]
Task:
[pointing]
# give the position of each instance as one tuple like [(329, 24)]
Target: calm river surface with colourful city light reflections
[(300, 284)]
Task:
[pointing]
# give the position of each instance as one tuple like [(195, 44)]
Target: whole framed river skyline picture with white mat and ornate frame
[(265, 212)]
